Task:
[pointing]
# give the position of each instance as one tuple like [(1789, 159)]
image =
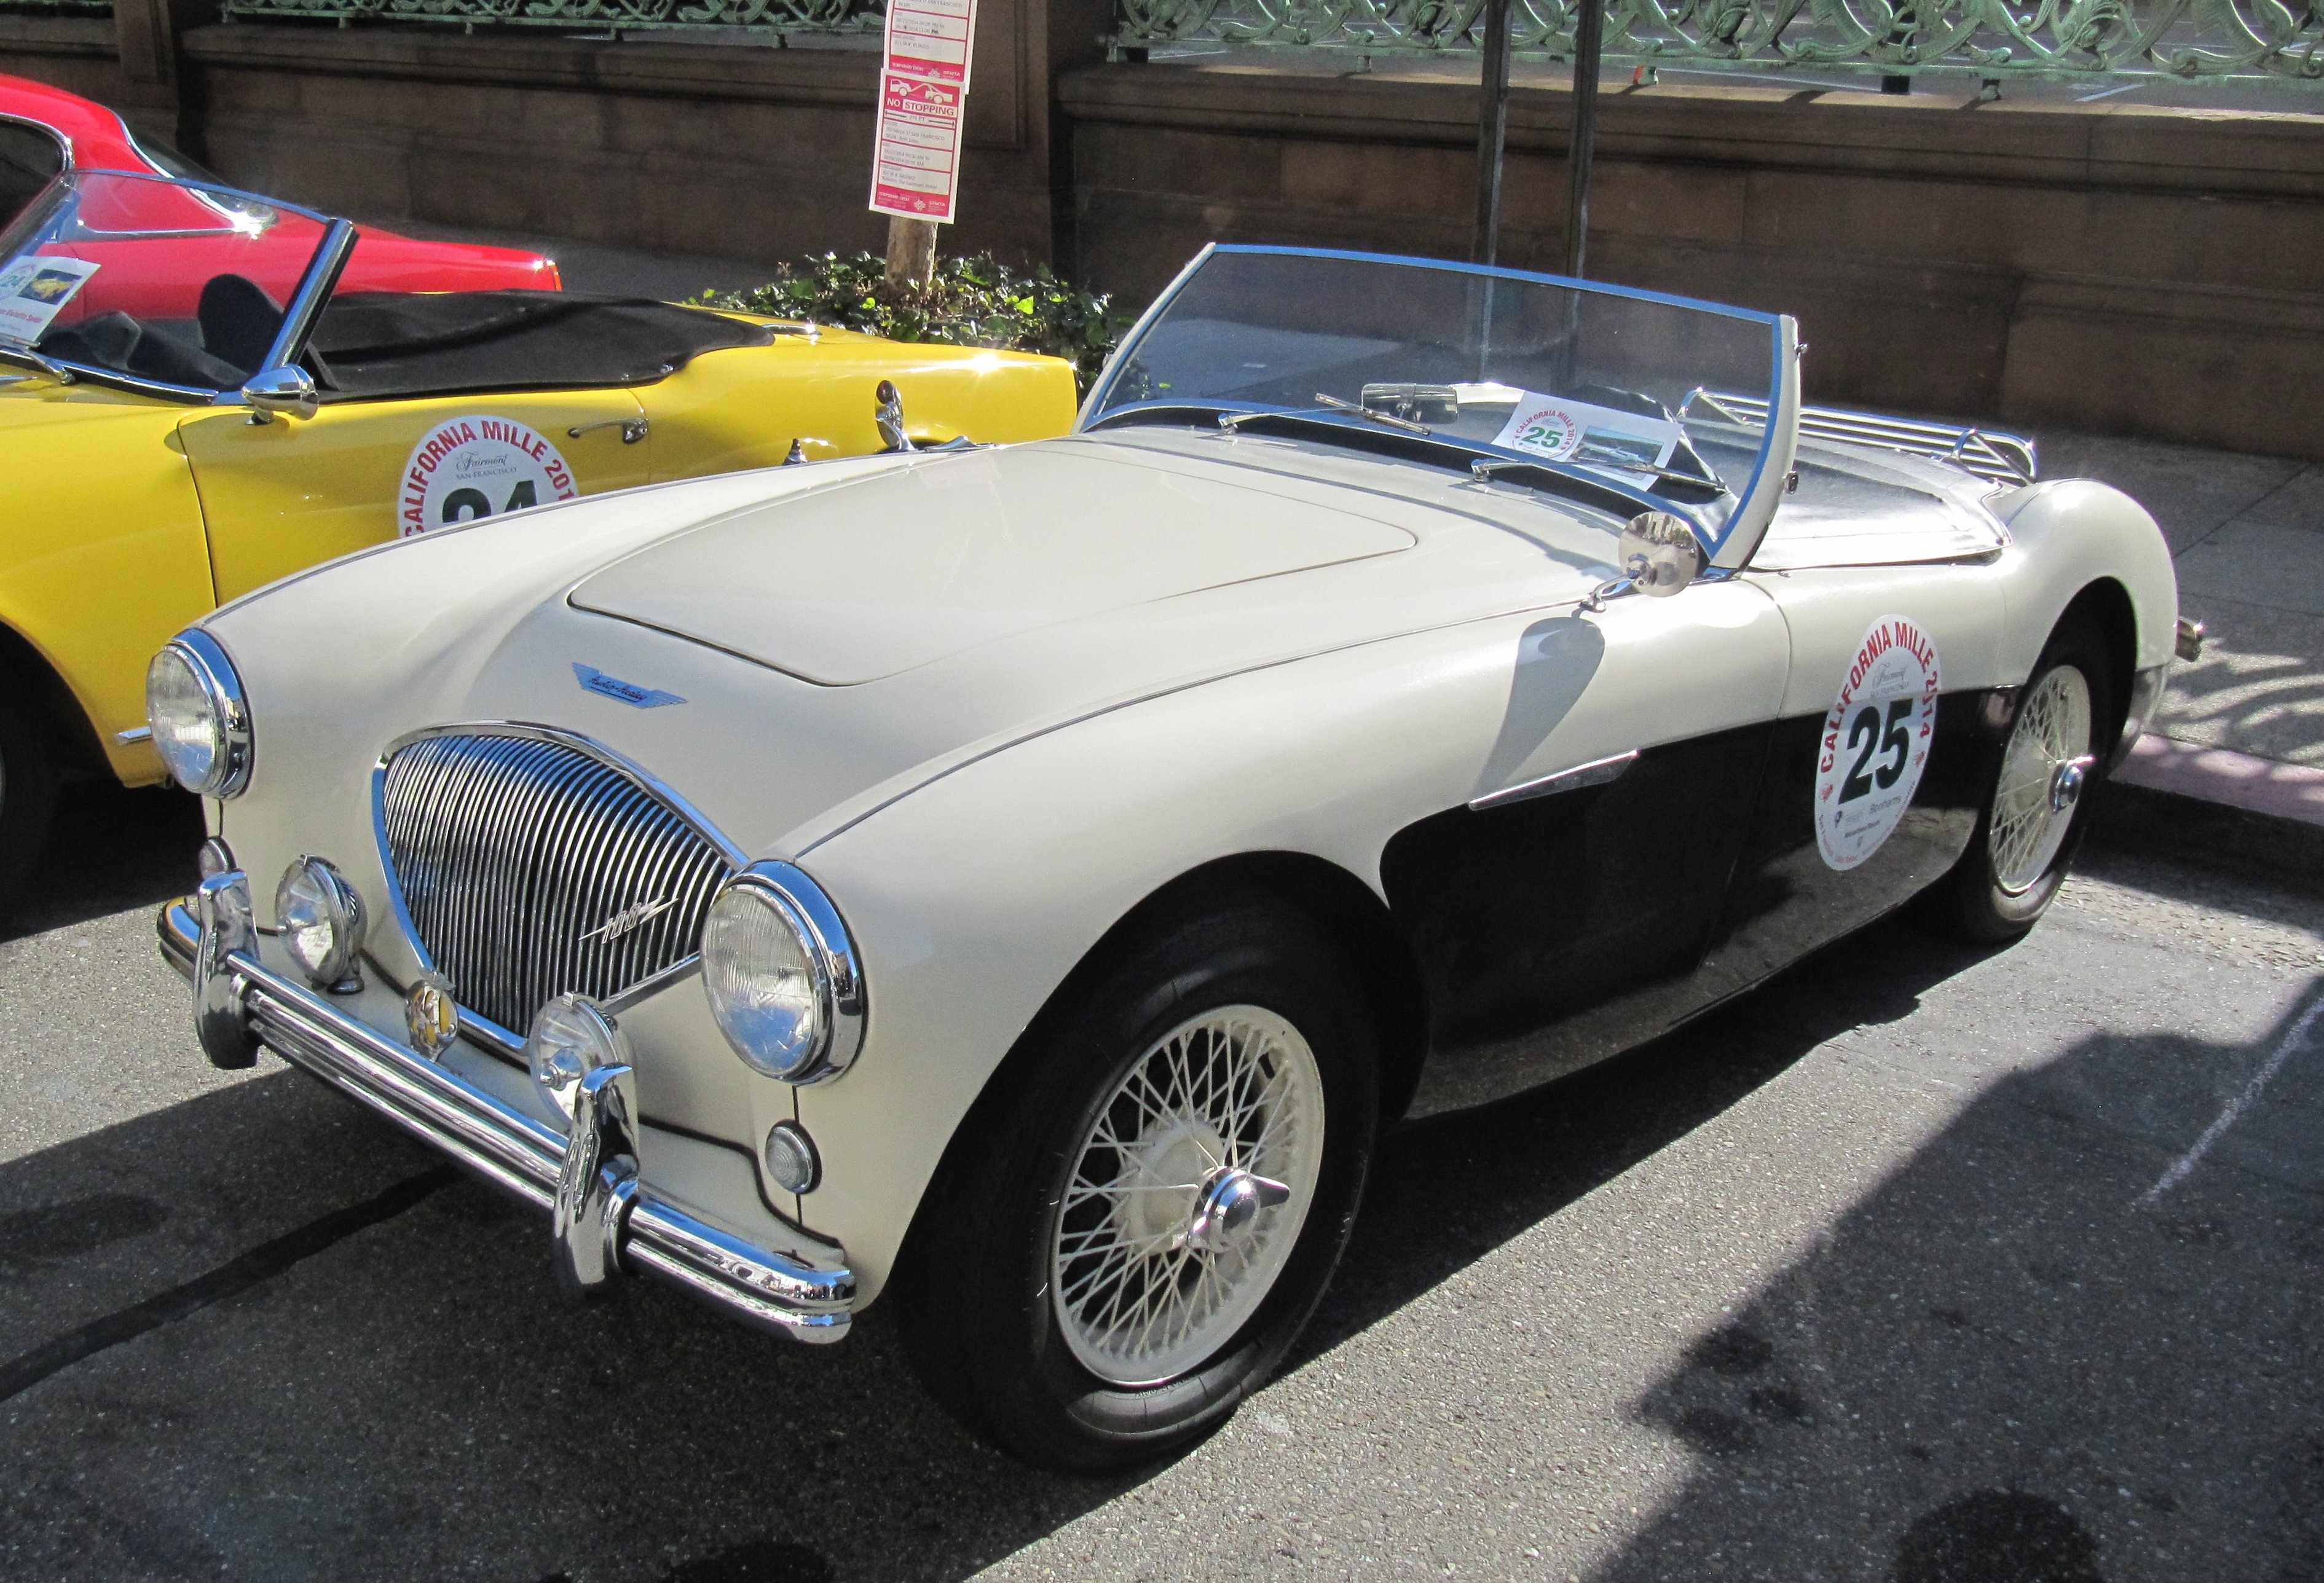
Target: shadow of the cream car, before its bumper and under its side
[(415, 1401)]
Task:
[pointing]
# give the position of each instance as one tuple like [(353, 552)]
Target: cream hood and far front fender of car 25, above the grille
[(798, 647)]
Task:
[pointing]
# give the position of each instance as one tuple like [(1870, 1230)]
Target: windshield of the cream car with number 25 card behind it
[(1519, 373)]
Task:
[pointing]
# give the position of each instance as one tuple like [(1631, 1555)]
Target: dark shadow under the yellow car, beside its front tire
[(110, 850)]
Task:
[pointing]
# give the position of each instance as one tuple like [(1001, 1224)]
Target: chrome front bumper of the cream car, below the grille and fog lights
[(803, 1294)]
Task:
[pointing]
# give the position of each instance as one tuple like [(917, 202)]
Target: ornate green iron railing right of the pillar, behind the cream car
[(1993, 41)]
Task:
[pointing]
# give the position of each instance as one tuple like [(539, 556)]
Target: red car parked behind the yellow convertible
[(45, 131)]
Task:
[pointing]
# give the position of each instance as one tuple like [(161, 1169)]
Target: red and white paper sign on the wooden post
[(924, 89)]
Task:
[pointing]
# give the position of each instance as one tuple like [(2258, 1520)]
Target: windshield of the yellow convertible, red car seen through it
[(152, 280)]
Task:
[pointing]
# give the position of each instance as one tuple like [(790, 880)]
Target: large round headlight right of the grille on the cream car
[(782, 975)]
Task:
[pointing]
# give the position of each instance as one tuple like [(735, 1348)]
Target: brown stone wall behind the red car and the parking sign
[(729, 150)]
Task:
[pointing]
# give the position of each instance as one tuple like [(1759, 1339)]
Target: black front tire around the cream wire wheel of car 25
[(975, 1287)]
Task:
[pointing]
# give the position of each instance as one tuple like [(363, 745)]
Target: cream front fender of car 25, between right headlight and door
[(975, 896)]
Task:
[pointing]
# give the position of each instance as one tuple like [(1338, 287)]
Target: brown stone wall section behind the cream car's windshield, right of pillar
[(2090, 266)]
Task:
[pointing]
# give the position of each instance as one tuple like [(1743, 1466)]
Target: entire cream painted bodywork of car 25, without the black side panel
[(1010, 771)]
